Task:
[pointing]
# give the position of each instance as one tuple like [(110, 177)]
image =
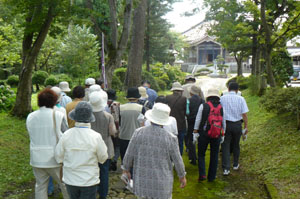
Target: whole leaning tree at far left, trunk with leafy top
[(38, 18)]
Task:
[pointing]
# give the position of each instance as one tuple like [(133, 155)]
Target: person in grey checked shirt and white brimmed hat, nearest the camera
[(151, 153)]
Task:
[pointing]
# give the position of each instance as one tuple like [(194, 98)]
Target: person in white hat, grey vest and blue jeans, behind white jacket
[(104, 124)]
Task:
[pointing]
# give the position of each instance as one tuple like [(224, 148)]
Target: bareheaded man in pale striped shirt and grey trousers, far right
[(235, 113)]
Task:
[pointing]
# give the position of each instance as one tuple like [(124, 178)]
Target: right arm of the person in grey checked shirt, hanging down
[(177, 160)]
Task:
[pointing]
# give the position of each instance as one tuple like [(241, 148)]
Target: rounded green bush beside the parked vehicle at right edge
[(282, 67)]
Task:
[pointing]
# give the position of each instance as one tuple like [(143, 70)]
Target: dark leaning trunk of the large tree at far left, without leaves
[(29, 53)]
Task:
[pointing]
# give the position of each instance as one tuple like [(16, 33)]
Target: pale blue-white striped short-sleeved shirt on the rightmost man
[(234, 106)]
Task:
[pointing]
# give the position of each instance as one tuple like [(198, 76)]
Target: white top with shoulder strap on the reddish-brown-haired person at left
[(43, 139)]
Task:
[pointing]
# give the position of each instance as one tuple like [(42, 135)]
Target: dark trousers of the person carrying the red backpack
[(203, 142)]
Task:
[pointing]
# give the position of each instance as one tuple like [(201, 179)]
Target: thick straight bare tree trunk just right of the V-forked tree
[(135, 60)]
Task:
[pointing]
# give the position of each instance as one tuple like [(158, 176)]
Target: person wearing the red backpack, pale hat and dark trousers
[(205, 129)]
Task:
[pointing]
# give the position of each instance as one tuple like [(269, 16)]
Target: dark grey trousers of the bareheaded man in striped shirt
[(232, 136)]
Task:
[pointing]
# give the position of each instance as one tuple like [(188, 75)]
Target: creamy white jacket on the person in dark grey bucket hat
[(80, 149)]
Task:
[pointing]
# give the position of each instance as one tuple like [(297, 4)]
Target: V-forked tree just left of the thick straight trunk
[(116, 31)]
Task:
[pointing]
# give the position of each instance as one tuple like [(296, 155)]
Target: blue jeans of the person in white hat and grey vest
[(104, 179)]
